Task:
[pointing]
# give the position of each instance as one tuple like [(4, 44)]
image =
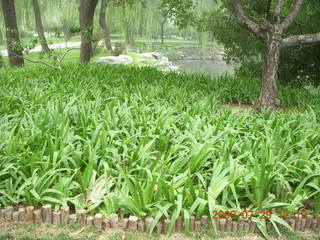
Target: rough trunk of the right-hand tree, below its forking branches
[(269, 92)]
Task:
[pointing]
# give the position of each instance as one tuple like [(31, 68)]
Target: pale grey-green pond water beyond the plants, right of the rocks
[(213, 67)]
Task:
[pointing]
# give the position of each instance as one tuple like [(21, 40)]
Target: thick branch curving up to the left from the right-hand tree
[(249, 24)]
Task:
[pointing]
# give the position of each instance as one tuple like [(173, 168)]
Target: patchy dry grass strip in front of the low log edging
[(50, 233)]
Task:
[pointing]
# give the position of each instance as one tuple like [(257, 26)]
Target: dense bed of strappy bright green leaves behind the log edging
[(142, 142)]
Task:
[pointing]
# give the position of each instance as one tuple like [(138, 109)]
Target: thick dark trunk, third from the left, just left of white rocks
[(87, 8)]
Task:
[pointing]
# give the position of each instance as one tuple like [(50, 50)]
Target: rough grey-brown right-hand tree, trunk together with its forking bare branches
[(271, 34)]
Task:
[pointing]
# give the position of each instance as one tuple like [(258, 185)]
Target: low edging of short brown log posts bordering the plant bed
[(48, 216)]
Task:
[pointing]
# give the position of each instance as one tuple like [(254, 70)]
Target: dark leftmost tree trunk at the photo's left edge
[(12, 33)]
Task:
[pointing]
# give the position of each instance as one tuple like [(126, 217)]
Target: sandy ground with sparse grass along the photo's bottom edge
[(72, 232)]
